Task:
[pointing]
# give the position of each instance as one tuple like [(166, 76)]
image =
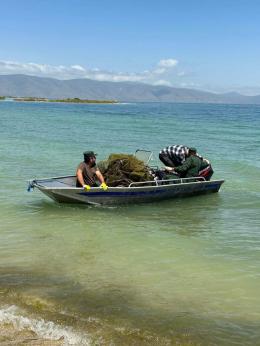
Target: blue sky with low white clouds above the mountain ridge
[(208, 45)]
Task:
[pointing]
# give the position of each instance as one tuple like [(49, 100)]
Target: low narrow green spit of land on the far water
[(42, 99)]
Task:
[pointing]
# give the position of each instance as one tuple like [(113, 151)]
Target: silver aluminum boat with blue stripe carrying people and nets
[(63, 189)]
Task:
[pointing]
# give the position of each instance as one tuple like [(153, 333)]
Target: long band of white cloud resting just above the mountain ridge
[(163, 73)]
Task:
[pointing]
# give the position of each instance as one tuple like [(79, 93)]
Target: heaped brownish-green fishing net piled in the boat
[(123, 169)]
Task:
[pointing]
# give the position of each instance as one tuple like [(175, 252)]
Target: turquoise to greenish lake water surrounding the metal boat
[(184, 271)]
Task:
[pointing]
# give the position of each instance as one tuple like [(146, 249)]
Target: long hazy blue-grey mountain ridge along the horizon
[(25, 86)]
